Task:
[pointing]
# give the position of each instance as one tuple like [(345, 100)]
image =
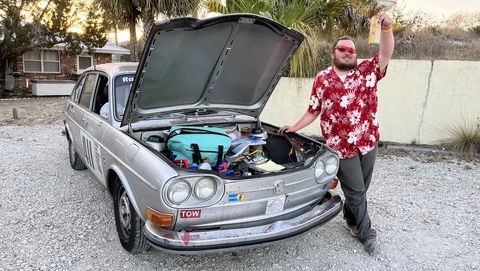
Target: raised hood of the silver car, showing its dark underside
[(230, 62)]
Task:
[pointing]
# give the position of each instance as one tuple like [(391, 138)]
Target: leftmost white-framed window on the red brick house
[(41, 61)]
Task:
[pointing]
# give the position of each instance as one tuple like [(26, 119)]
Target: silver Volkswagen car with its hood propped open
[(177, 140)]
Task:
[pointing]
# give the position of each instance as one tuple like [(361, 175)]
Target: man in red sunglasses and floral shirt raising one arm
[(344, 96)]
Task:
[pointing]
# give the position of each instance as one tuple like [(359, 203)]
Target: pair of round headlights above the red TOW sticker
[(180, 190)]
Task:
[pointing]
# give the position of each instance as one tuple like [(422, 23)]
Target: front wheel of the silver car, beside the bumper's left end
[(129, 225)]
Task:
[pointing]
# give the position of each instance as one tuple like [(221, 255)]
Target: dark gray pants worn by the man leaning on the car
[(355, 174)]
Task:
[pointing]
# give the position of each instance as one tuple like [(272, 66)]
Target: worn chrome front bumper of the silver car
[(198, 242)]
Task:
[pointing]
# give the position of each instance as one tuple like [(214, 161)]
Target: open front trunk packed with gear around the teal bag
[(257, 149)]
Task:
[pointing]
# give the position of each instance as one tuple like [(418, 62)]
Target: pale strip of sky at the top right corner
[(441, 7)]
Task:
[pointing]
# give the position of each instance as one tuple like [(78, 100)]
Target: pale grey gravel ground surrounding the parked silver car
[(425, 208)]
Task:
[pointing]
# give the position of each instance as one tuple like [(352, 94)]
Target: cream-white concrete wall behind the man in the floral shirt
[(418, 100)]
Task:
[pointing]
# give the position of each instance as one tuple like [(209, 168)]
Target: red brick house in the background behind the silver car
[(52, 72)]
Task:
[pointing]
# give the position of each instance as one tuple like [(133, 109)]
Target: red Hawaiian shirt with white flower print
[(348, 109)]
